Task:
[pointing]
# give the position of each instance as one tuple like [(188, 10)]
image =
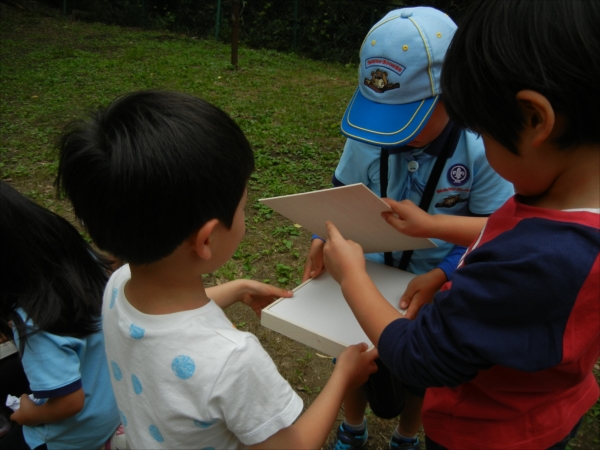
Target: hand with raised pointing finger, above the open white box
[(342, 258)]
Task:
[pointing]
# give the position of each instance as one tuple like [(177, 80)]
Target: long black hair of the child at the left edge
[(48, 270)]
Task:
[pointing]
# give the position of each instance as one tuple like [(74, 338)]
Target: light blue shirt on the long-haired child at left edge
[(59, 365)]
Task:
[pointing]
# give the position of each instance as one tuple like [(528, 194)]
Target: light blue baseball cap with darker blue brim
[(398, 77)]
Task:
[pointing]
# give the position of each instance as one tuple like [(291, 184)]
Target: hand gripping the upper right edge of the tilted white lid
[(409, 219)]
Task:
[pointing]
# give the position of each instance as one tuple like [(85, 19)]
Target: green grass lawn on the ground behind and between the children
[(53, 70)]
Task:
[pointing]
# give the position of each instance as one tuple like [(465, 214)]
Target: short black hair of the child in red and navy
[(503, 47)]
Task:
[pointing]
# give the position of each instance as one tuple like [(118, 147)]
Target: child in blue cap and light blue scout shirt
[(402, 145)]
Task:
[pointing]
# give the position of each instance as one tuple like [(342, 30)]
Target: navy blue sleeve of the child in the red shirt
[(508, 305)]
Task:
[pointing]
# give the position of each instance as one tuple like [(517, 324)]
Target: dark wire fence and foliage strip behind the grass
[(320, 29)]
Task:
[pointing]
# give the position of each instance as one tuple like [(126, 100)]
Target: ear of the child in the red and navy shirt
[(539, 116)]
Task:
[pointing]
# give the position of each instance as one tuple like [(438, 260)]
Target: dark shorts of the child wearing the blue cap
[(386, 393)]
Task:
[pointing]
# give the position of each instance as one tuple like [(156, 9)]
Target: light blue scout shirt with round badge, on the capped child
[(467, 186)]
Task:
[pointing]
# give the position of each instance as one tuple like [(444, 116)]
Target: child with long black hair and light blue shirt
[(50, 304)]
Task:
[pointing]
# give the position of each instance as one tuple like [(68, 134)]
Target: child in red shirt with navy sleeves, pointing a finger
[(507, 347)]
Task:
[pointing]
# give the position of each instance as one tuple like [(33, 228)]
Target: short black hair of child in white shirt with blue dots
[(150, 169)]
